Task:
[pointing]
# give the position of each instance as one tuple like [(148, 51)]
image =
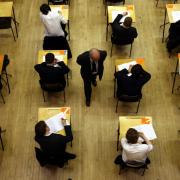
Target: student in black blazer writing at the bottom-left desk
[(53, 146)]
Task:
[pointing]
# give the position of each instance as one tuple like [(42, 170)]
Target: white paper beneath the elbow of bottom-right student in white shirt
[(148, 130)]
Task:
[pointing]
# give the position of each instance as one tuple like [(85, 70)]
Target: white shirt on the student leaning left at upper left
[(52, 23)]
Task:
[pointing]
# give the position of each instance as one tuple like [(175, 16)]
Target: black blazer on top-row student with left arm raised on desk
[(122, 35)]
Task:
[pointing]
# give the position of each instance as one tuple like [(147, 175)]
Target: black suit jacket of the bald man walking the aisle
[(84, 61)]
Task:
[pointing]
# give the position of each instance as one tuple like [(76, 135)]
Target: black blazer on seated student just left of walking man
[(51, 74)]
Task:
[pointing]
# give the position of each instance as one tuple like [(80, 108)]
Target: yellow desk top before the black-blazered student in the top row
[(128, 8)]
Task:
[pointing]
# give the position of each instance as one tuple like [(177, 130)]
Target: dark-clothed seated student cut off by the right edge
[(174, 36)]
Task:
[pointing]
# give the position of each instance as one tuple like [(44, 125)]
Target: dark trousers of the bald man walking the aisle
[(87, 86)]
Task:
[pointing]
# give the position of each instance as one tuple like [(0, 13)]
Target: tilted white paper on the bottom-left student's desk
[(54, 123)]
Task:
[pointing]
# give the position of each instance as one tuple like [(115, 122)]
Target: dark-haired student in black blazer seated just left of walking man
[(52, 71)]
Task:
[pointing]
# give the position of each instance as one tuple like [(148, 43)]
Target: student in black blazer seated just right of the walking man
[(131, 84)]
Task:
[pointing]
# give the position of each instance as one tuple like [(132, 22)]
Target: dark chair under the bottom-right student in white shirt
[(134, 165)]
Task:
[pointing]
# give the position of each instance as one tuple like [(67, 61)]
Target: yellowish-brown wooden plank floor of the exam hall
[(94, 128)]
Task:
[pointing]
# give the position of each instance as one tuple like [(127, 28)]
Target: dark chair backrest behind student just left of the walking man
[(51, 87)]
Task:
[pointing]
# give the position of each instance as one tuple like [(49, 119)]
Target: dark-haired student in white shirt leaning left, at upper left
[(52, 21)]
